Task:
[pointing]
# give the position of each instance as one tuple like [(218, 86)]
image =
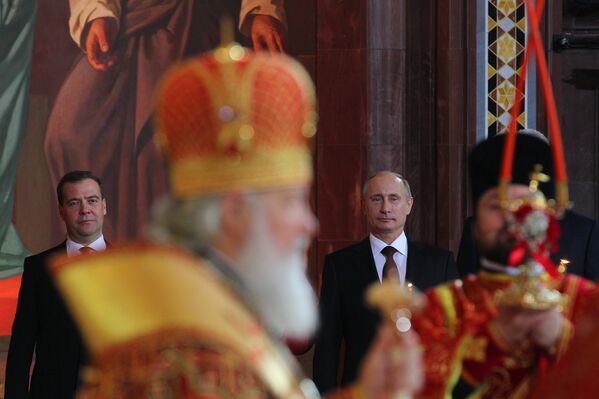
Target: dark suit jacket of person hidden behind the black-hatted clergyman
[(578, 242)]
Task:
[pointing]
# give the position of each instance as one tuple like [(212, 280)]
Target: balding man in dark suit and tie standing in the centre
[(386, 202)]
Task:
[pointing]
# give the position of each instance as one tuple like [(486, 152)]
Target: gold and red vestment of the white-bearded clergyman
[(161, 323)]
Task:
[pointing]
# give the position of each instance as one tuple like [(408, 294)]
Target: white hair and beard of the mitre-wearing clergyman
[(276, 281)]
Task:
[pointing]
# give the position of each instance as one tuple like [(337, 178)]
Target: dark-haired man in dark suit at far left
[(42, 321)]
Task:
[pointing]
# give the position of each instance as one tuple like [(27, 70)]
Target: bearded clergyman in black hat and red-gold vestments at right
[(477, 344)]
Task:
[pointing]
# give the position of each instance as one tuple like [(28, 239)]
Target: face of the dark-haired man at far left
[(83, 210)]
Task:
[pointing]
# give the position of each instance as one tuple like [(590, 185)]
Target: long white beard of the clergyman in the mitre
[(278, 284)]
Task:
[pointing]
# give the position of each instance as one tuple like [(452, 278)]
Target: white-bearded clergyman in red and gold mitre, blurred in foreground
[(205, 321)]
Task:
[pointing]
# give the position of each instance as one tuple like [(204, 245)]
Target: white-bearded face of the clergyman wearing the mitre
[(273, 260)]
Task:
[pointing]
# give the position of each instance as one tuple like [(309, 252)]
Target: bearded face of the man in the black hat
[(491, 233)]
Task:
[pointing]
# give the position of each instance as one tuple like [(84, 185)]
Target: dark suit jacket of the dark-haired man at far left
[(42, 322)]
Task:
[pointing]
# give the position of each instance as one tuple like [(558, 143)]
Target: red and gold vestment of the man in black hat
[(461, 347)]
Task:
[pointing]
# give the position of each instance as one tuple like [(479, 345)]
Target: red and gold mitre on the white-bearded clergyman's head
[(232, 119)]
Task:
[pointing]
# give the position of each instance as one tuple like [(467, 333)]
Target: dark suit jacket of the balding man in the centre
[(343, 312)]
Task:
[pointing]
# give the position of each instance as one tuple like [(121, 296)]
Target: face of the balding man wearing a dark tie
[(386, 206)]
